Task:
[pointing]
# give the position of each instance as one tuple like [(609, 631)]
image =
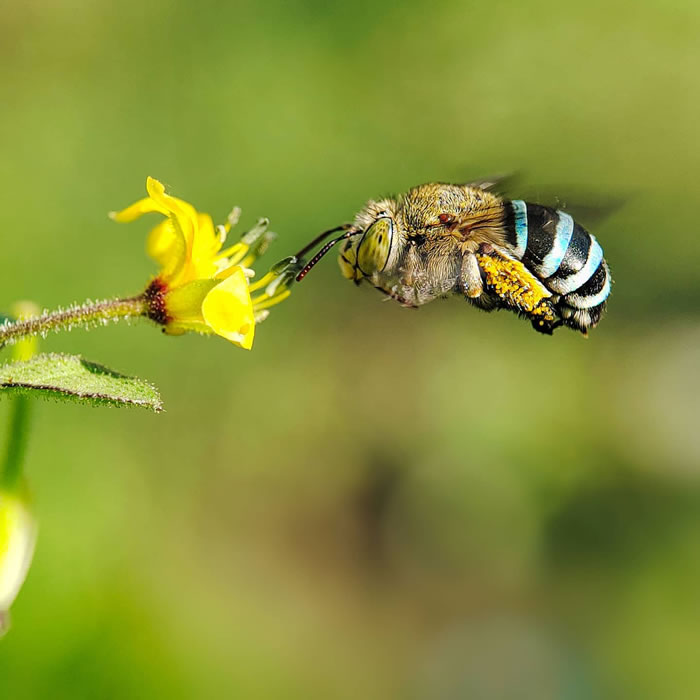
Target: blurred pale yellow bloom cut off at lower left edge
[(17, 538)]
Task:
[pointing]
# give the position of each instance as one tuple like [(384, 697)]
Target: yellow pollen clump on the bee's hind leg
[(512, 281)]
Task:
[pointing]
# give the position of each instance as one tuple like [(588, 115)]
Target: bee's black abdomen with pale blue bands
[(564, 256)]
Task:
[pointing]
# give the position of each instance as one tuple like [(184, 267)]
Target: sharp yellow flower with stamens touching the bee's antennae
[(201, 287)]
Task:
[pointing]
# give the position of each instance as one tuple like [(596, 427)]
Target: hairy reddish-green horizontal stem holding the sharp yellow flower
[(79, 316)]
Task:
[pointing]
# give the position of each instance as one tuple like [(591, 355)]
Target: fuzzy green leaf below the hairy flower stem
[(71, 378)]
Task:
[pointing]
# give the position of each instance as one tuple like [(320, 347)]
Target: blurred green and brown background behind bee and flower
[(375, 502)]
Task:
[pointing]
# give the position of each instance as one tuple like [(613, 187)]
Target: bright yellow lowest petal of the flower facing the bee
[(228, 310)]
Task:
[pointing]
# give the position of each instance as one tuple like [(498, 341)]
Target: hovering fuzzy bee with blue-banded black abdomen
[(441, 239)]
